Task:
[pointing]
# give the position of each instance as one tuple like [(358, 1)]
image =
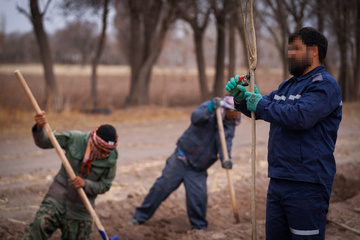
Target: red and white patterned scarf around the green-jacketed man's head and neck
[(96, 148)]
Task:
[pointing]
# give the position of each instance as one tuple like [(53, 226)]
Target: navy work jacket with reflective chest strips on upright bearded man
[(304, 115)]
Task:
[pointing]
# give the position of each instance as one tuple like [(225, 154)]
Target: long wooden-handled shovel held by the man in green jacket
[(63, 158)]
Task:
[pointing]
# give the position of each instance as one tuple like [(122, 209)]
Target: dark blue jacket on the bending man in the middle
[(200, 143)]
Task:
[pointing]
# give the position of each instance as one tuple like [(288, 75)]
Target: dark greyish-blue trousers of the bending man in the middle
[(178, 171)]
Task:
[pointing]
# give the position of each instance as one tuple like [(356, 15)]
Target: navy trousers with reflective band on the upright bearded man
[(296, 210)]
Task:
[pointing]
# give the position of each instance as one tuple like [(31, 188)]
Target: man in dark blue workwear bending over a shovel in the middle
[(197, 149)]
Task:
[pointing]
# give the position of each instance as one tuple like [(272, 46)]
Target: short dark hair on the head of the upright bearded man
[(310, 37)]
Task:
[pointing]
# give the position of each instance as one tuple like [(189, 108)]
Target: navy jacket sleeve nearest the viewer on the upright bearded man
[(318, 100)]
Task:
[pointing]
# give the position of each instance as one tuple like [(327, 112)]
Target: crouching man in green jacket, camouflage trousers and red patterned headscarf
[(93, 158)]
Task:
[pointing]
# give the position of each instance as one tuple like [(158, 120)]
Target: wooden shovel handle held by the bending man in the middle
[(226, 158)]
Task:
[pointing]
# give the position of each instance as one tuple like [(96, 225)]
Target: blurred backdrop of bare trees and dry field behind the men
[(100, 55)]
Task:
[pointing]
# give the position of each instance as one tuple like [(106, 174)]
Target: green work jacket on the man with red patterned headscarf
[(61, 192)]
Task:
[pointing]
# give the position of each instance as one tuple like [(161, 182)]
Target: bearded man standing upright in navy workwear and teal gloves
[(304, 115)]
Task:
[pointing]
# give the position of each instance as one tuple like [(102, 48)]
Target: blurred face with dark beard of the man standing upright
[(299, 57)]
